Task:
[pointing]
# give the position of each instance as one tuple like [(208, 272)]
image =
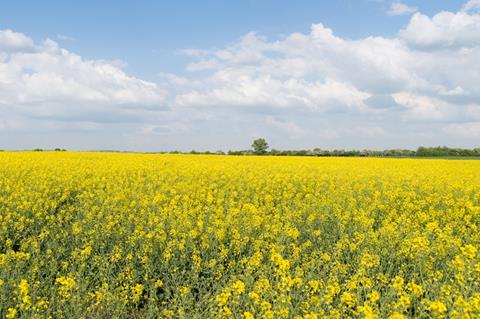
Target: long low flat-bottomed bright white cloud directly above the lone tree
[(233, 89)]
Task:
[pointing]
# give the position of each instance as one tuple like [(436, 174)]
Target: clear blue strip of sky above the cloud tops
[(149, 34)]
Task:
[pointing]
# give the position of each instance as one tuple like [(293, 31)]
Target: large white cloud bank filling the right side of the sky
[(322, 72)]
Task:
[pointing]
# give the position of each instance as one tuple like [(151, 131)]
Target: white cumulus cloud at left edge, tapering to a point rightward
[(44, 81)]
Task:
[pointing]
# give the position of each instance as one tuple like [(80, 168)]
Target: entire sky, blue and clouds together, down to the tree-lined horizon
[(159, 75)]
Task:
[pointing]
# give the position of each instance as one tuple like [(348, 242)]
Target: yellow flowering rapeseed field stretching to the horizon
[(101, 235)]
